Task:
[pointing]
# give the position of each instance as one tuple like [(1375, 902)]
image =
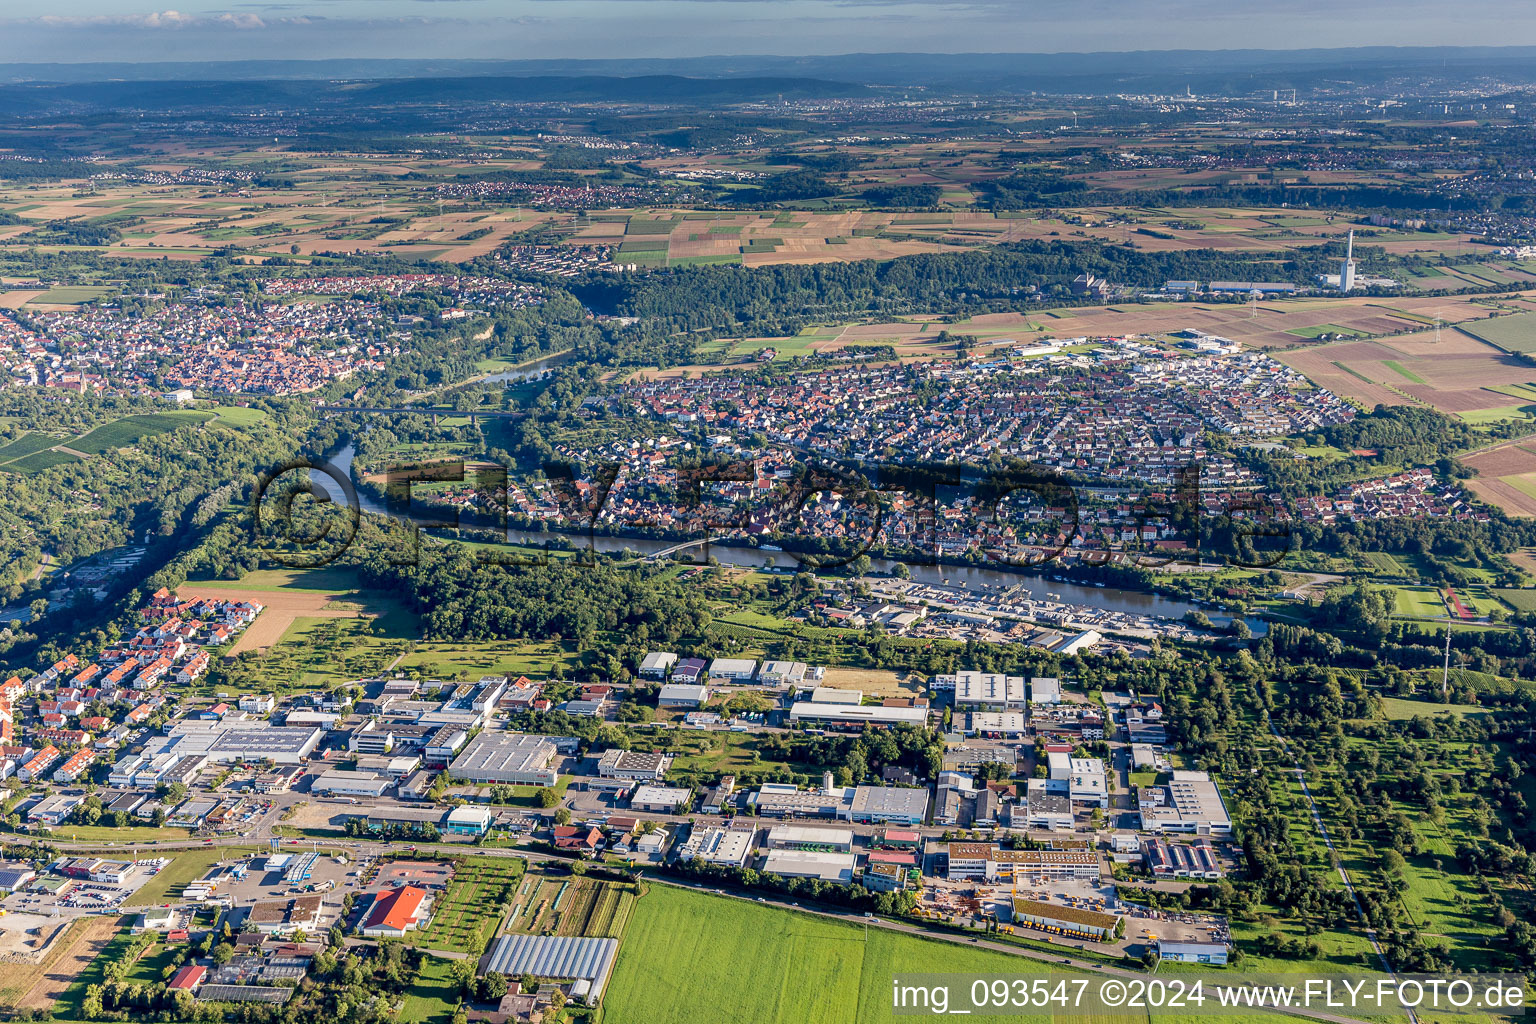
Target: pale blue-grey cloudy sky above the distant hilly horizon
[(517, 30)]
